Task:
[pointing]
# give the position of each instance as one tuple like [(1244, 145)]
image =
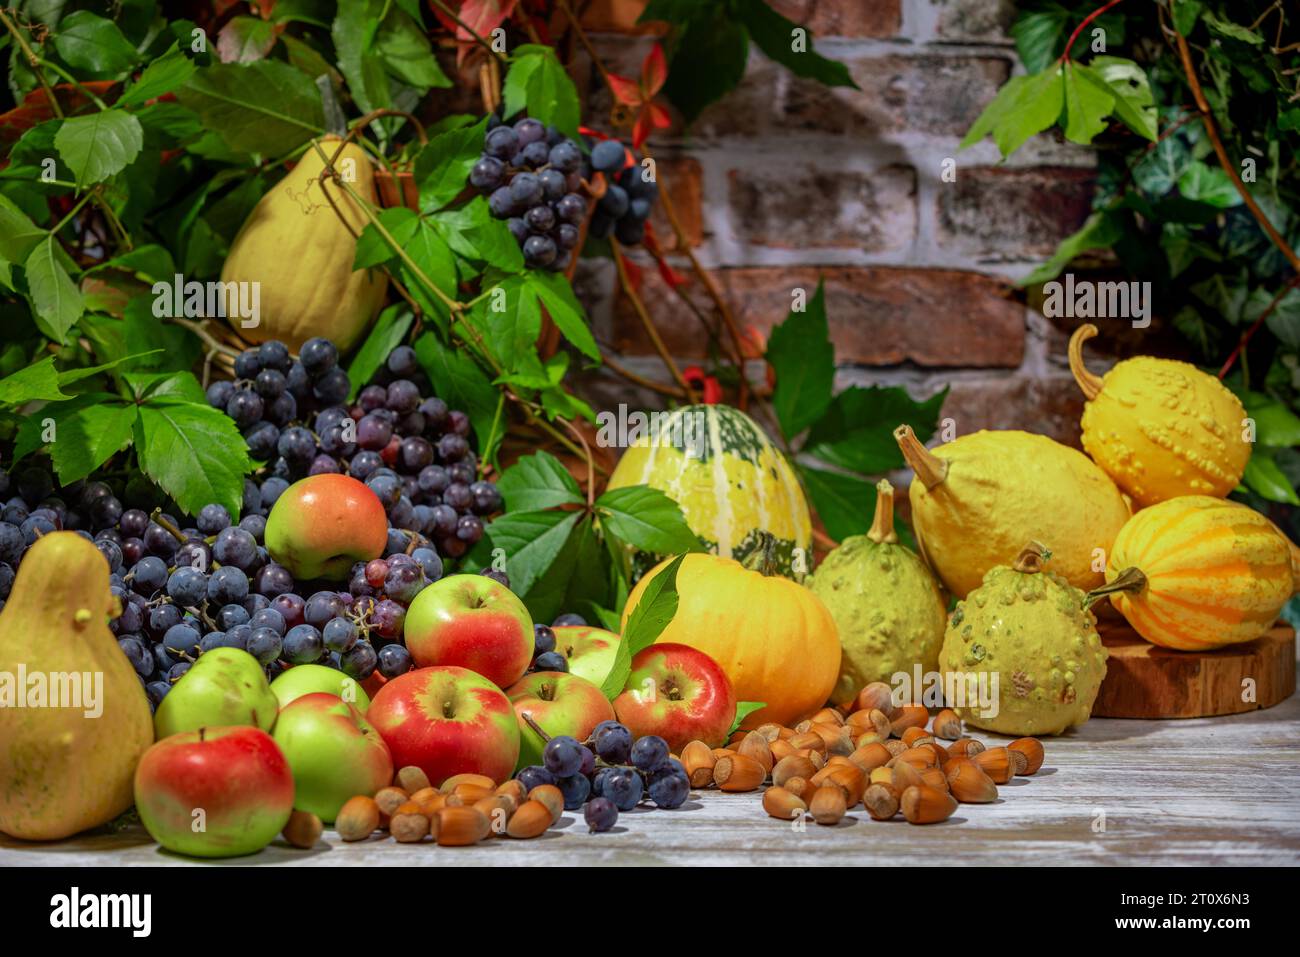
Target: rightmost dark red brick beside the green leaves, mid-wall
[(994, 211)]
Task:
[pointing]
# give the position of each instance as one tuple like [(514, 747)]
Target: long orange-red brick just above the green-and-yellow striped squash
[(878, 315)]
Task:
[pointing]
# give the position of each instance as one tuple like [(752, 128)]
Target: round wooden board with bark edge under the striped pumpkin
[(1145, 681)]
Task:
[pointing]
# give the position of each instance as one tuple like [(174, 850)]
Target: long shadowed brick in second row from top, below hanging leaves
[(926, 93)]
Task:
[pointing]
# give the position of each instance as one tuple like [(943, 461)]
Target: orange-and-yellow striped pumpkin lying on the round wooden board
[(1198, 573)]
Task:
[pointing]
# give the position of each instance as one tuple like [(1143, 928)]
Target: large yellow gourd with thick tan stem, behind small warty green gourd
[(980, 499)]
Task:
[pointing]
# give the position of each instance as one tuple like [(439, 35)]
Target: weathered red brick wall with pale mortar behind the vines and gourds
[(786, 181)]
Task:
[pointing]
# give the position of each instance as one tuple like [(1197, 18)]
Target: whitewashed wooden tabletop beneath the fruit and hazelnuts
[(1217, 791)]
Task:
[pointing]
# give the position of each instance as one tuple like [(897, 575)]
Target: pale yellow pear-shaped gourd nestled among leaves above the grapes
[(301, 253)]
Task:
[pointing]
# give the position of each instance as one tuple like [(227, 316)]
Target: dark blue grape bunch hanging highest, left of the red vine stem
[(531, 175)]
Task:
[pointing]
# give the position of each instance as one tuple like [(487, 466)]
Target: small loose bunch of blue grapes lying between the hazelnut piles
[(610, 773)]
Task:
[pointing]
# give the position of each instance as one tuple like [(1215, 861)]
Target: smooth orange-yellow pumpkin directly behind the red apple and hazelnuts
[(775, 639)]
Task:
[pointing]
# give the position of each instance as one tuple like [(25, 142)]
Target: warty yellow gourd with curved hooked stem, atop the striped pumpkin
[(1162, 428)]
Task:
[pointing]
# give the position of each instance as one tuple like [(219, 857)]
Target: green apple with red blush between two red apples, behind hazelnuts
[(333, 752)]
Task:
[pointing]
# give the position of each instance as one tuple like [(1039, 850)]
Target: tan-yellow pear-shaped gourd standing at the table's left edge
[(64, 769)]
